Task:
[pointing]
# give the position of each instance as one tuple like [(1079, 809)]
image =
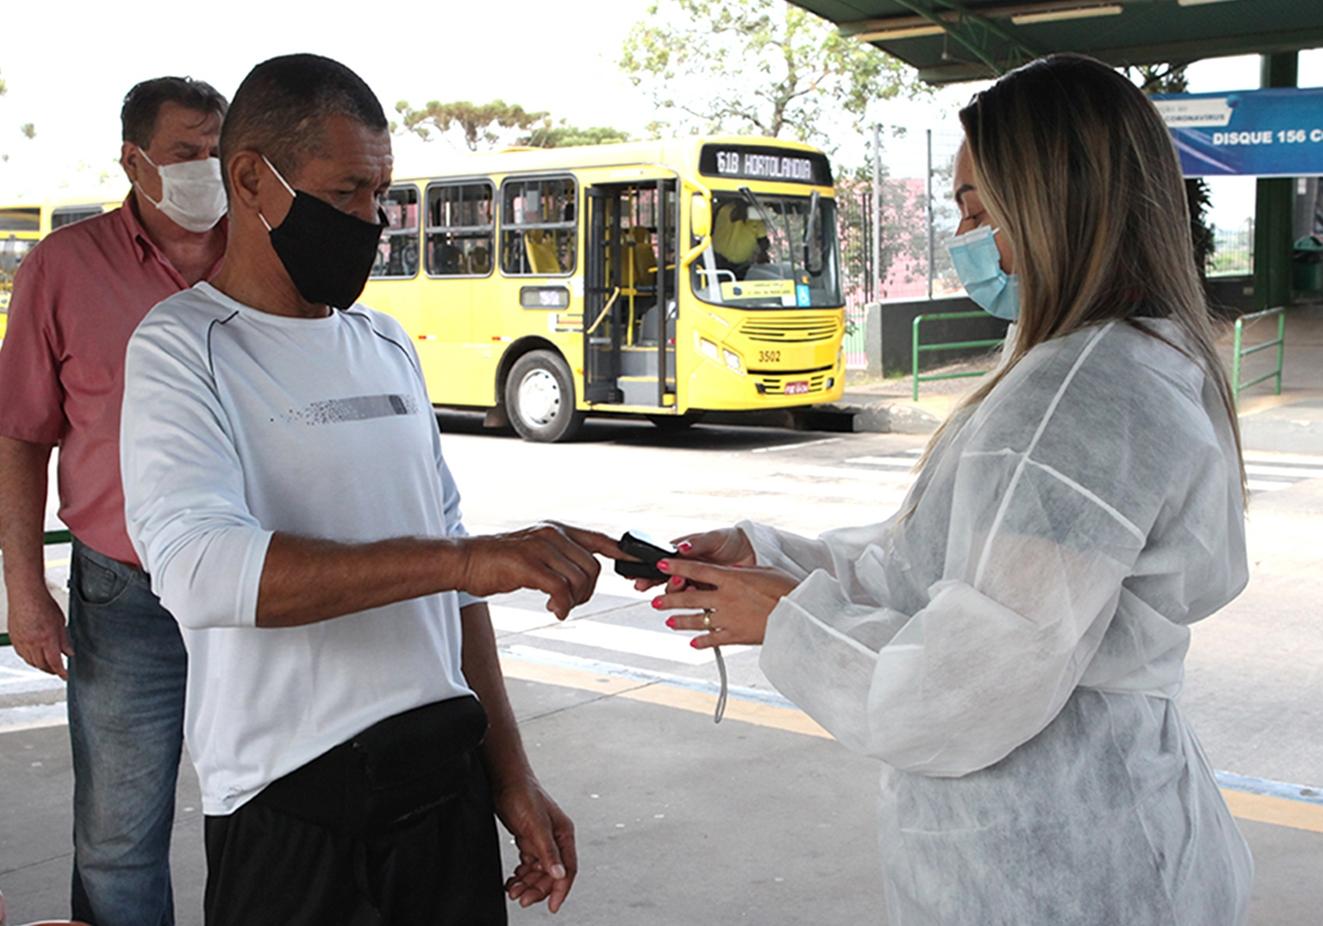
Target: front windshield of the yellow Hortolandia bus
[(771, 252)]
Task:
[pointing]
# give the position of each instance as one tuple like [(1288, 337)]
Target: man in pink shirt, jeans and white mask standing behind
[(77, 300)]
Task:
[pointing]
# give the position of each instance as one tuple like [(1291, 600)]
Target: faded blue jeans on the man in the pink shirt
[(126, 726)]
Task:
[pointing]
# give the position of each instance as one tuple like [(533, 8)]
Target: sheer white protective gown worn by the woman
[(1013, 650)]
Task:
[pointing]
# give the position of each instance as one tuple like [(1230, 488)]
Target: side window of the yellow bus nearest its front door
[(539, 227)]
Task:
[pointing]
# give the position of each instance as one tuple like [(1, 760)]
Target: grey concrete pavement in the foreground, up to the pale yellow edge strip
[(759, 821)]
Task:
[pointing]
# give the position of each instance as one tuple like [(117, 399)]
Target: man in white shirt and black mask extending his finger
[(286, 491)]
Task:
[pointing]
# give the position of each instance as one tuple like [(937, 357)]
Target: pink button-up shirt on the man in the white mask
[(77, 300)]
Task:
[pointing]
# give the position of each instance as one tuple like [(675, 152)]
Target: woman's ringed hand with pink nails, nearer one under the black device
[(734, 603)]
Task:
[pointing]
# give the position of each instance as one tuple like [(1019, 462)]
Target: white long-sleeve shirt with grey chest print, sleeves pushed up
[(239, 424)]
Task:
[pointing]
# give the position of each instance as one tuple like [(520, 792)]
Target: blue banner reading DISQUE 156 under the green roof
[(1251, 133)]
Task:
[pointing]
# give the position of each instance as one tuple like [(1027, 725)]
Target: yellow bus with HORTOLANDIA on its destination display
[(657, 278)]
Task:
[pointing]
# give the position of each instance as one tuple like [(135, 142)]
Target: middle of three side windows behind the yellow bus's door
[(461, 232)]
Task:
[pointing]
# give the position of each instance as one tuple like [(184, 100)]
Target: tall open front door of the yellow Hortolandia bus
[(630, 293)]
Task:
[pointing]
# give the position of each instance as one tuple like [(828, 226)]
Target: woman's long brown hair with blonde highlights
[(1076, 167)]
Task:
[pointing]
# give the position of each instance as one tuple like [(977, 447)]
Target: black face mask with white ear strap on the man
[(327, 253)]
